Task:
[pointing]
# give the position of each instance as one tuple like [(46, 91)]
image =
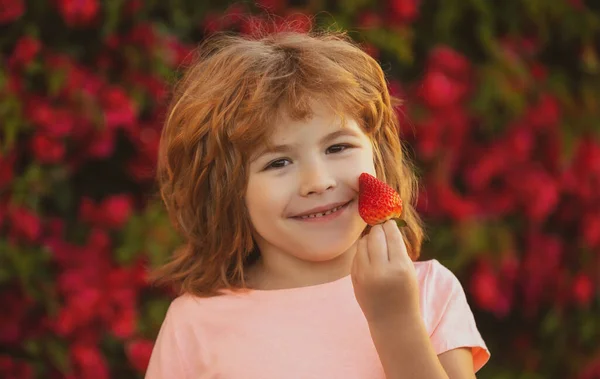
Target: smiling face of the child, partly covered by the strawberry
[(318, 168)]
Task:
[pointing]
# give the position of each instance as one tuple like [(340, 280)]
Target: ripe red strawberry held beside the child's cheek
[(377, 201)]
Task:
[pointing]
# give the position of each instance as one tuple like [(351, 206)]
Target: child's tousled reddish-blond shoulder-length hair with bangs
[(224, 107)]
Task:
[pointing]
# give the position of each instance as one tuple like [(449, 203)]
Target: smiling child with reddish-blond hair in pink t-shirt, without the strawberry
[(280, 277)]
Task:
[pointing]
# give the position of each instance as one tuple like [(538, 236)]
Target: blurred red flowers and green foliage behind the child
[(501, 116)]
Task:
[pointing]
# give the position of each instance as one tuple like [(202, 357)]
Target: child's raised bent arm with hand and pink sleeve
[(387, 290)]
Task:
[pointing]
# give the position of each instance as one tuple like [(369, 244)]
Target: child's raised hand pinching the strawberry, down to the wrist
[(383, 275)]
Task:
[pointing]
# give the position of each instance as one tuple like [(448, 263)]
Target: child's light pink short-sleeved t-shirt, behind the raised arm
[(308, 332)]
